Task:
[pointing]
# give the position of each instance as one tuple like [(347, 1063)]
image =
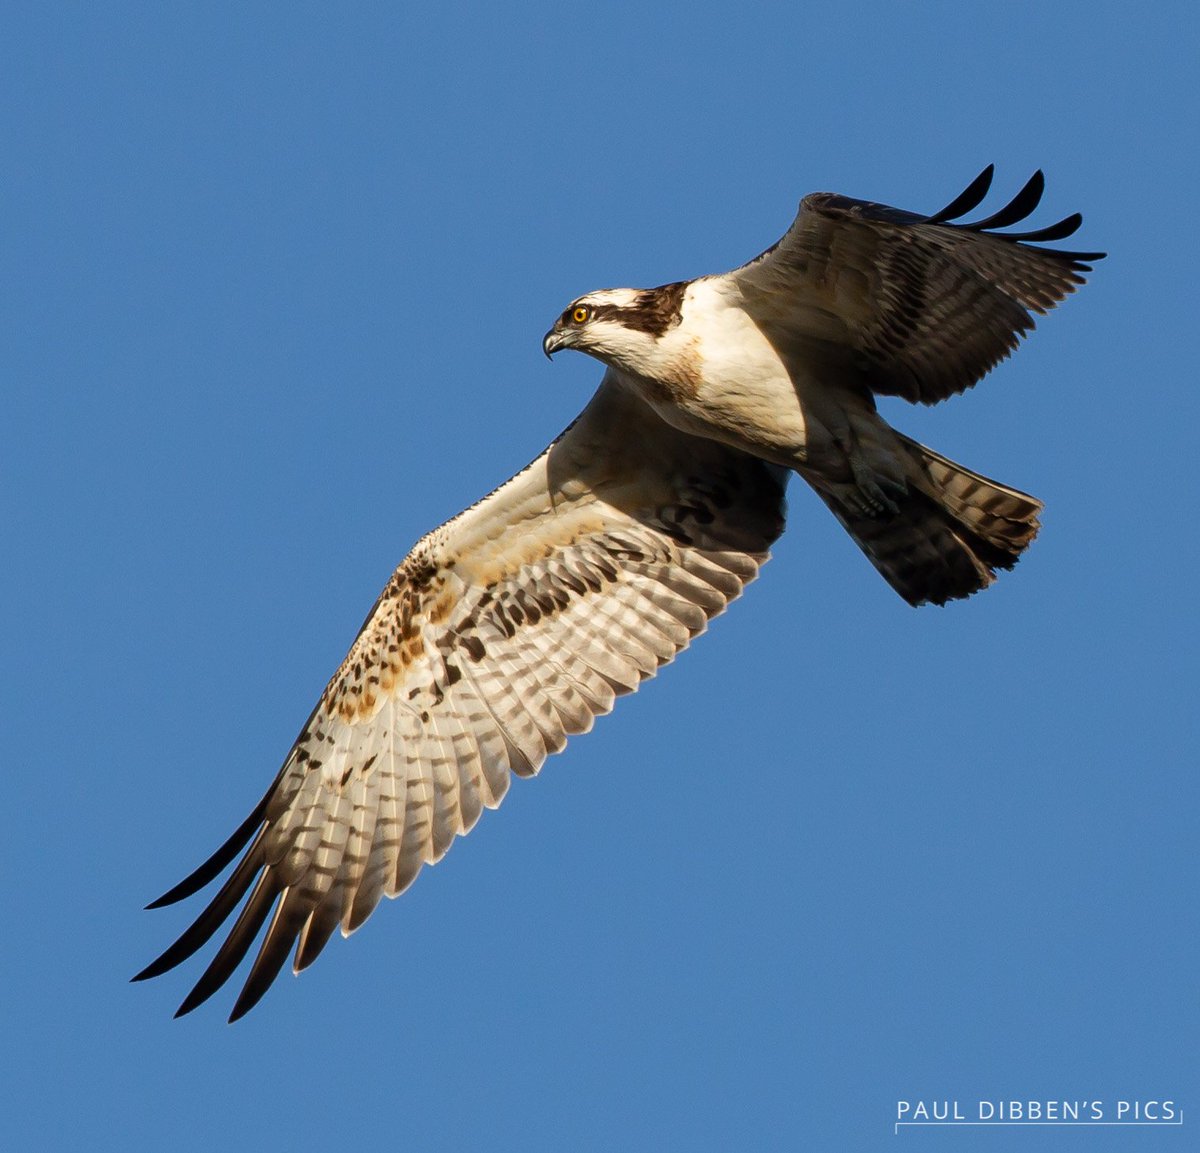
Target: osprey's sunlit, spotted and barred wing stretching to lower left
[(505, 633)]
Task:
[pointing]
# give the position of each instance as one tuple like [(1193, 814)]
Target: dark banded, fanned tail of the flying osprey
[(952, 531)]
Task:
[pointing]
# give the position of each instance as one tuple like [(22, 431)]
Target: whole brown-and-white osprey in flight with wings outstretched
[(515, 624)]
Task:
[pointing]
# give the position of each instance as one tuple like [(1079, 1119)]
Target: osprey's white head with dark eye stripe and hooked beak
[(620, 327)]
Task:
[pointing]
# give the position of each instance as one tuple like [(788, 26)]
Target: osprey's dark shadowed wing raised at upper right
[(913, 307)]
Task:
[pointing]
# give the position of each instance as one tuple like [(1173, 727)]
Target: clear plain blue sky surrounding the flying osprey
[(274, 283)]
